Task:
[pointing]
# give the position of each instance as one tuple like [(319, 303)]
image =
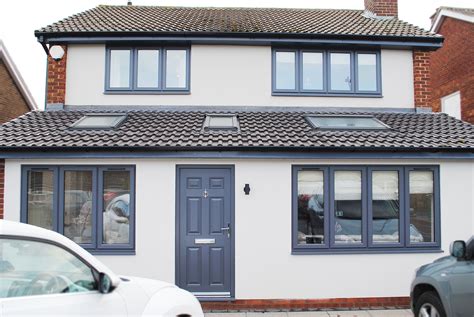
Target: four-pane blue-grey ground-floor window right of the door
[(365, 209)]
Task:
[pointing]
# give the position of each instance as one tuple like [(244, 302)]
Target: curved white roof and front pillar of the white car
[(17, 229)]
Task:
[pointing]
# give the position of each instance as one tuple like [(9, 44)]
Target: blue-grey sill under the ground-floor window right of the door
[(365, 251)]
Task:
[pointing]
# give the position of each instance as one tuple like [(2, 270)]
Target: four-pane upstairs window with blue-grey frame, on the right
[(323, 72)]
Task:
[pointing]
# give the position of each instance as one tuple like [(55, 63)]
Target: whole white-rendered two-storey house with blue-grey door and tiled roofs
[(260, 158)]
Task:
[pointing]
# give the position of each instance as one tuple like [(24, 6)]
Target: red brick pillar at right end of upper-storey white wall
[(422, 78)]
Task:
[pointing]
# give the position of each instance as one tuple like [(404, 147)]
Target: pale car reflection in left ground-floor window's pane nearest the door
[(117, 220)]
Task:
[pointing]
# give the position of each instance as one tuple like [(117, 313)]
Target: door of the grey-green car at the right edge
[(461, 282)]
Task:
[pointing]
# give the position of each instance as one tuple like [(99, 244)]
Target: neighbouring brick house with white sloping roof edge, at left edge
[(15, 98)]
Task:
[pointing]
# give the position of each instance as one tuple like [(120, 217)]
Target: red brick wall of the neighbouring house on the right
[(452, 66)]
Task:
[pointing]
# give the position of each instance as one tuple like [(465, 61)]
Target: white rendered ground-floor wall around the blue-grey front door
[(264, 265)]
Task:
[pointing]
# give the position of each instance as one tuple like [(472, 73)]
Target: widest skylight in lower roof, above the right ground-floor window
[(346, 122)]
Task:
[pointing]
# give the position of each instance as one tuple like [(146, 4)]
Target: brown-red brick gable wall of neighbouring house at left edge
[(12, 103)]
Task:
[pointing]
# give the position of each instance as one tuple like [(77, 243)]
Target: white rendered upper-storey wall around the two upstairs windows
[(230, 76)]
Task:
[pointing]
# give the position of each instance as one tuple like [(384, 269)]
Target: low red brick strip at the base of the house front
[(307, 304)]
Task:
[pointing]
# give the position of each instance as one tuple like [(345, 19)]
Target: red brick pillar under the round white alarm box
[(57, 79)]
